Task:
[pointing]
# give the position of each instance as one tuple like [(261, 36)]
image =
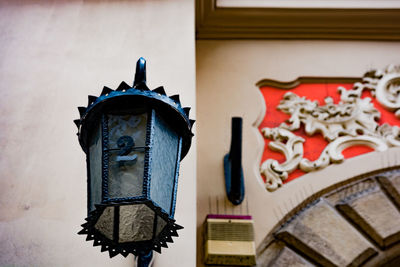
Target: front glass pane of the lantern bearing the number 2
[(127, 138)]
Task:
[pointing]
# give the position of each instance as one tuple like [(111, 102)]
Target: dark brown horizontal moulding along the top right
[(295, 23)]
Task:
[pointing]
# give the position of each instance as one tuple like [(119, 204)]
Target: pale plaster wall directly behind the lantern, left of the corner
[(52, 55)]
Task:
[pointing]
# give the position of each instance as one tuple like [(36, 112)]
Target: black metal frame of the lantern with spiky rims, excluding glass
[(125, 99)]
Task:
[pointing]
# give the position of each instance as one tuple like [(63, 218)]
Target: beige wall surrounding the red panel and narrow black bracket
[(226, 75)]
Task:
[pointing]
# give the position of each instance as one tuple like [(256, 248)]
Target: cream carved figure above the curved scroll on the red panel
[(352, 116)]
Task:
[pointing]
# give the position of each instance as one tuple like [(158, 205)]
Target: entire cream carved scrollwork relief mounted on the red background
[(351, 122)]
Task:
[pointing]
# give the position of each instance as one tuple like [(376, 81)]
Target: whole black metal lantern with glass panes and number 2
[(134, 139)]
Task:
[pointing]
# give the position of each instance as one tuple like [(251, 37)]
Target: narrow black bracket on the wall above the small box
[(234, 182)]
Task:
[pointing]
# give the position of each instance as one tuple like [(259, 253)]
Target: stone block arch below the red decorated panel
[(353, 223)]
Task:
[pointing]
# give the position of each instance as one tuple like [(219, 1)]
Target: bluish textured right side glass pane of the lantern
[(164, 161)]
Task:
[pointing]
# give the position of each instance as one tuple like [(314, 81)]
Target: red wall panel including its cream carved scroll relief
[(315, 122)]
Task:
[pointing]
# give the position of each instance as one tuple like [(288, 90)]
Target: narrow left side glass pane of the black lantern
[(95, 159)]
